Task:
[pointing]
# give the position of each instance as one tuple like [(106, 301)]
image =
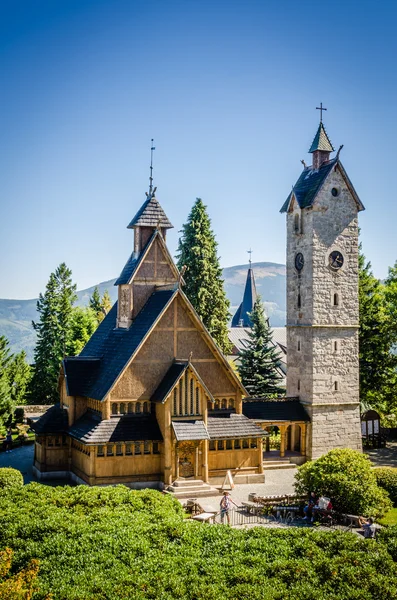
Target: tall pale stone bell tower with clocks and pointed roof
[(322, 299)]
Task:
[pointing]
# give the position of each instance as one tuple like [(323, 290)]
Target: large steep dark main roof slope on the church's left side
[(114, 347)]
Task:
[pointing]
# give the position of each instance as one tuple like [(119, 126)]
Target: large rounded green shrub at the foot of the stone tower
[(347, 478)]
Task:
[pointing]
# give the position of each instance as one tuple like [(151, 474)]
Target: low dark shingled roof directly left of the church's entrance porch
[(89, 429)]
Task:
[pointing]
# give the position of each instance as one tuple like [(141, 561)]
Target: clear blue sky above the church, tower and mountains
[(228, 89)]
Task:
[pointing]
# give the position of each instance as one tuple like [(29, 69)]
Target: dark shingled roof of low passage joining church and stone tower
[(275, 410)]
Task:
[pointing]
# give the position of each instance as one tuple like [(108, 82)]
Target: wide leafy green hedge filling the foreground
[(117, 544)]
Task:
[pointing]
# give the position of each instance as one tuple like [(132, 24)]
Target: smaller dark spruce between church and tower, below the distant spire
[(259, 361)]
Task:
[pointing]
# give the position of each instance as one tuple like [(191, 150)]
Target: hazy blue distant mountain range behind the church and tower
[(16, 316)]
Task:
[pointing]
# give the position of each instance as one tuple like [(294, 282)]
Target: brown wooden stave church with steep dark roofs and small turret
[(151, 398)]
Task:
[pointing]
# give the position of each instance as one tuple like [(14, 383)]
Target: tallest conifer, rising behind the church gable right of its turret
[(197, 250)]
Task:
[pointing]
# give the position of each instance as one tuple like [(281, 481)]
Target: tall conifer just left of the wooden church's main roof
[(53, 333)]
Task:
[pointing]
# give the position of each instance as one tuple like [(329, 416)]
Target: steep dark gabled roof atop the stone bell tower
[(311, 181)]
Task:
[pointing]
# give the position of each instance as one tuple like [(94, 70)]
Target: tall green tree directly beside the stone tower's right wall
[(377, 361)]
